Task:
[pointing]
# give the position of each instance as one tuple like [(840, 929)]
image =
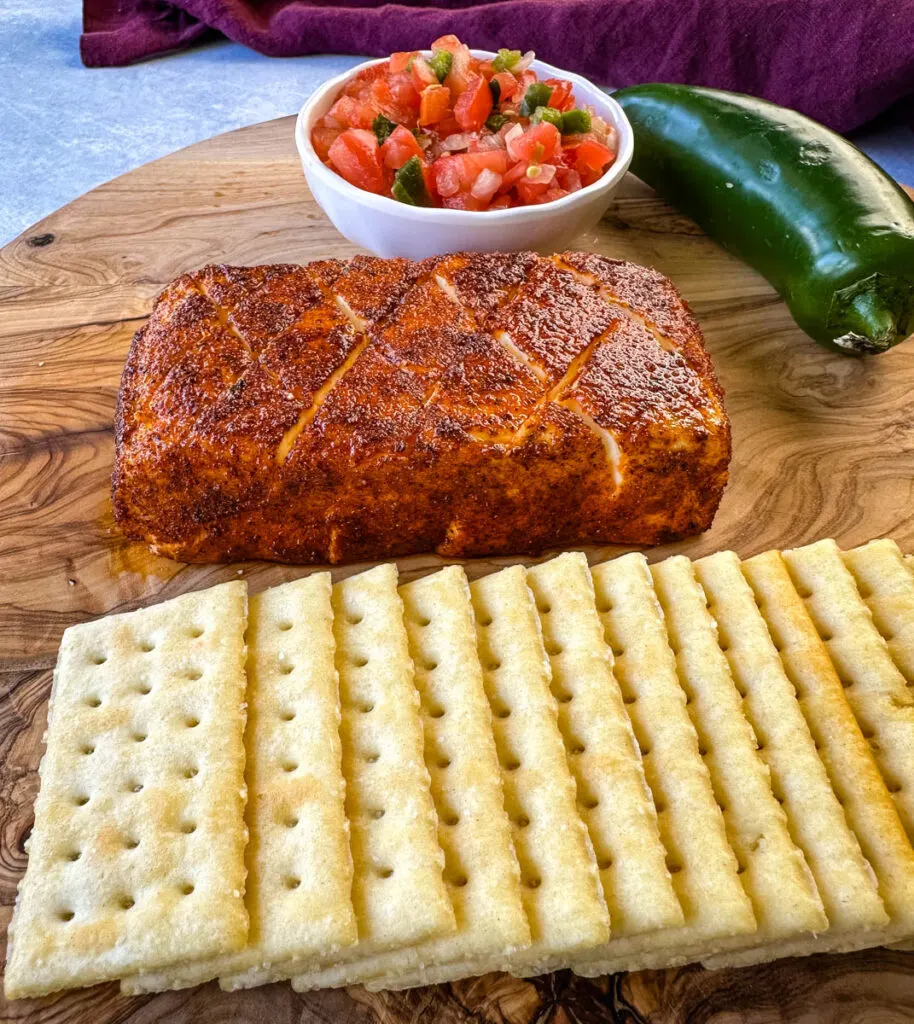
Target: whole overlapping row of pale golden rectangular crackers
[(612, 769)]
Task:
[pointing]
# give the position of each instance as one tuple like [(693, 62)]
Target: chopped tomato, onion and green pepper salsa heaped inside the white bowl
[(452, 131)]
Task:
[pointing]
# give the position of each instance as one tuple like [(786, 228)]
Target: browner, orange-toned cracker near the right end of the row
[(855, 778)]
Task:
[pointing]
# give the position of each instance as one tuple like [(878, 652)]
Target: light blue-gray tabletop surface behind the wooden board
[(65, 129)]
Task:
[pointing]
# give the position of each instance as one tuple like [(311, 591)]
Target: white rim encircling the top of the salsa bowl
[(386, 204)]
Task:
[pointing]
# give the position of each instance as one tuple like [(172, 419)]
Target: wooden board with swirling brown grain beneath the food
[(823, 447)]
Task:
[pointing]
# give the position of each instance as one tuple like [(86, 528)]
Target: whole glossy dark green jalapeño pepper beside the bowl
[(831, 231)]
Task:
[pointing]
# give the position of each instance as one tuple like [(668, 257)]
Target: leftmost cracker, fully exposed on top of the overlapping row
[(137, 859)]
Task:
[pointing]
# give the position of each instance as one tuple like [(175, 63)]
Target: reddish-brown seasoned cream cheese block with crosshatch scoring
[(470, 405)]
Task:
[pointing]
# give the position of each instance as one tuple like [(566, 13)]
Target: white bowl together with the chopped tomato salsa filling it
[(400, 227)]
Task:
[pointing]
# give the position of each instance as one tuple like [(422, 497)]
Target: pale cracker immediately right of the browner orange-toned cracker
[(876, 688)]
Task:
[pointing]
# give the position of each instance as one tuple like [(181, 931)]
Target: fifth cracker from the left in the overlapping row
[(562, 894)]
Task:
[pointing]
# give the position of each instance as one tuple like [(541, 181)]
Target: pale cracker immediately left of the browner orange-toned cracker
[(816, 819)]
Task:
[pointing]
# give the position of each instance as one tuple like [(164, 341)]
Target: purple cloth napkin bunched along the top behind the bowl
[(842, 62)]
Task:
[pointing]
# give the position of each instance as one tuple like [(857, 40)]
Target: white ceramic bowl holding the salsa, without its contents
[(393, 229)]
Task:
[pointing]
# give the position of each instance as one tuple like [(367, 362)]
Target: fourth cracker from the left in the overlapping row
[(482, 870)]
